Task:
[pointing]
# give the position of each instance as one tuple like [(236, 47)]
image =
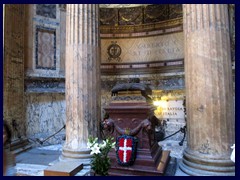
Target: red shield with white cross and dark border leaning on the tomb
[(126, 149)]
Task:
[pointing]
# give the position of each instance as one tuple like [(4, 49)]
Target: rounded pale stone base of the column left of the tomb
[(83, 156)]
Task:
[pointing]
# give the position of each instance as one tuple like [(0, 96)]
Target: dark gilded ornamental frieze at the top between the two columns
[(140, 18)]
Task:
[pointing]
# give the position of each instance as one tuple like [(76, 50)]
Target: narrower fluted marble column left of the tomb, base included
[(82, 80)]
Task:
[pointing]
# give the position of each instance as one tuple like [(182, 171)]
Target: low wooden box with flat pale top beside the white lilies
[(63, 168)]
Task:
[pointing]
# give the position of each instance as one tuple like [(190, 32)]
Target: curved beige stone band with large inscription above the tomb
[(155, 48)]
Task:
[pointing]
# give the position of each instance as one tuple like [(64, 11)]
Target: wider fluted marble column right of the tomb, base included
[(209, 100)]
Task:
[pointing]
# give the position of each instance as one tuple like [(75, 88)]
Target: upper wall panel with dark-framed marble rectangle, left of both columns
[(44, 41)]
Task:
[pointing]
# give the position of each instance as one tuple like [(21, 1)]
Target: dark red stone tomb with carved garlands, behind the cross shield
[(131, 114)]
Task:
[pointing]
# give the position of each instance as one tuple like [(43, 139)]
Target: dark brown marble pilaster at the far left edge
[(13, 69)]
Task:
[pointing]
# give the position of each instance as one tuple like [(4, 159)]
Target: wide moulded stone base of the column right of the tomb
[(199, 166)]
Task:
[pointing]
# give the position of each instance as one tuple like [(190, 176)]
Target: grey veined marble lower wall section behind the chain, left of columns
[(45, 114)]
